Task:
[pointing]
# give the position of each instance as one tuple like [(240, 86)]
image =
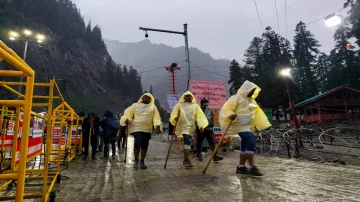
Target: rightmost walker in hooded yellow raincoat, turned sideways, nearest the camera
[(242, 113)]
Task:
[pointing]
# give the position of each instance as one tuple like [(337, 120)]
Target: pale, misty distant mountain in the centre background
[(149, 59)]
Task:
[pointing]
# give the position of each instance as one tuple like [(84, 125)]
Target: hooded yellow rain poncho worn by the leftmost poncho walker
[(142, 116)]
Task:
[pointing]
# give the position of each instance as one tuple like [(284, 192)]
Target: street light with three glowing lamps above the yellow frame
[(26, 37)]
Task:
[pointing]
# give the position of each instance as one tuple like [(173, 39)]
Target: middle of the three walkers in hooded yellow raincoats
[(186, 115)]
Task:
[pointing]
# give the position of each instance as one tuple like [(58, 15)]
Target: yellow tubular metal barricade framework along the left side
[(25, 103)]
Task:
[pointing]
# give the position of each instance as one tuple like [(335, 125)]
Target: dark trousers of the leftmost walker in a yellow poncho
[(141, 143)]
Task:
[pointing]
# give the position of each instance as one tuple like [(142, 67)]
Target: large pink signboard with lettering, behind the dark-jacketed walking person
[(214, 91)]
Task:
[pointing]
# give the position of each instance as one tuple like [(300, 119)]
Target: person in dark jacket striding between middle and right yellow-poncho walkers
[(208, 132)]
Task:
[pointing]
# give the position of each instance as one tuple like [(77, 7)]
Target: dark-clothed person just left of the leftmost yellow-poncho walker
[(107, 136)]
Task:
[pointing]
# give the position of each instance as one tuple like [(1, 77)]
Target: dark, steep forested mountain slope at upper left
[(73, 53)]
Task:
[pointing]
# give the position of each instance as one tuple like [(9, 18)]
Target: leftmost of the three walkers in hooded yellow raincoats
[(140, 119)]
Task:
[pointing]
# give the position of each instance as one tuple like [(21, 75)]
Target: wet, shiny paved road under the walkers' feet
[(284, 180)]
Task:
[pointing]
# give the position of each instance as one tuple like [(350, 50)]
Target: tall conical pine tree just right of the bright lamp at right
[(305, 55)]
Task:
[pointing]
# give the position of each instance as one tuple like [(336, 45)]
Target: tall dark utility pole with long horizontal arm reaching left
[(185, 34)]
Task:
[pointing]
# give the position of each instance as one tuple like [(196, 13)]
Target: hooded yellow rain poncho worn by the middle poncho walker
[(190, 115)]
